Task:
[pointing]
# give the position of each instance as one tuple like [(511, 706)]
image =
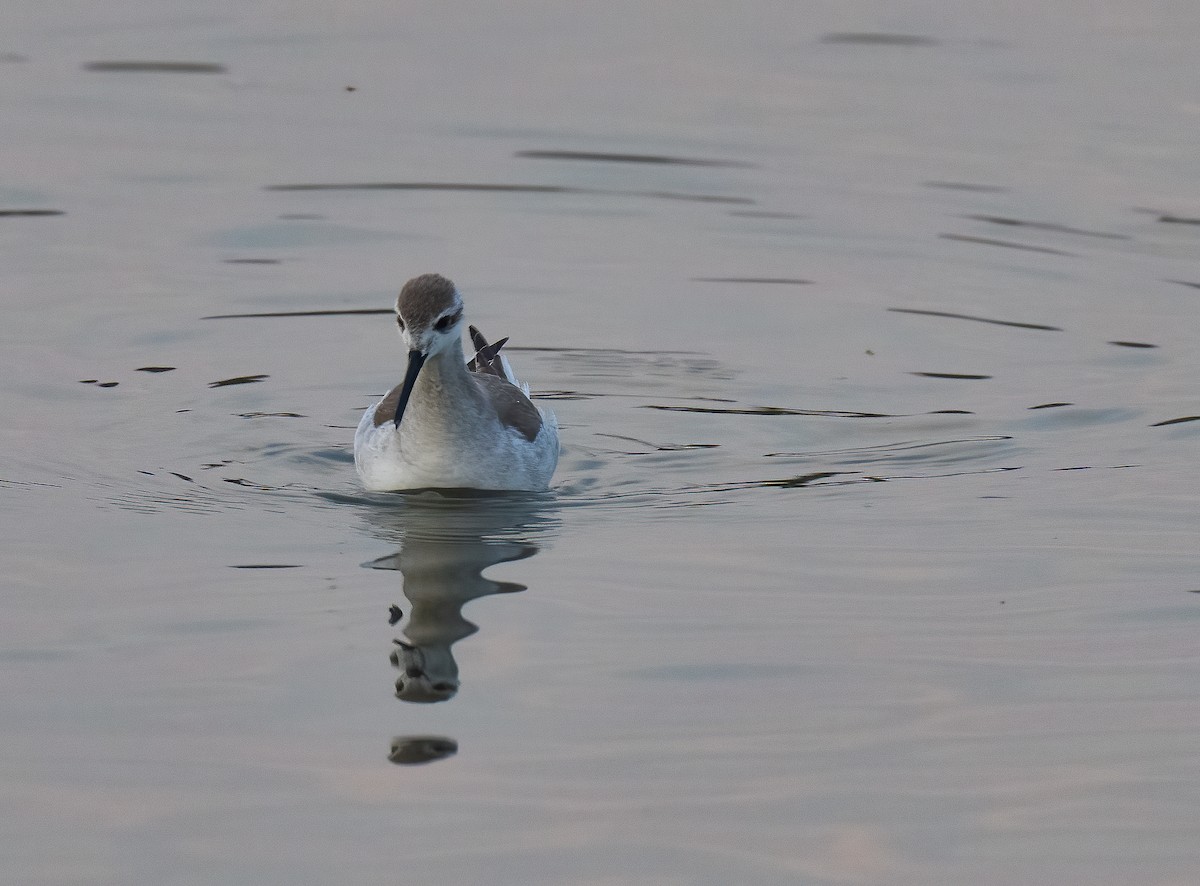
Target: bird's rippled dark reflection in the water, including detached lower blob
[(446, 544)]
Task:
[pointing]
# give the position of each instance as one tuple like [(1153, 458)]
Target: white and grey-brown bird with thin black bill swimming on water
[(453, 424)]
